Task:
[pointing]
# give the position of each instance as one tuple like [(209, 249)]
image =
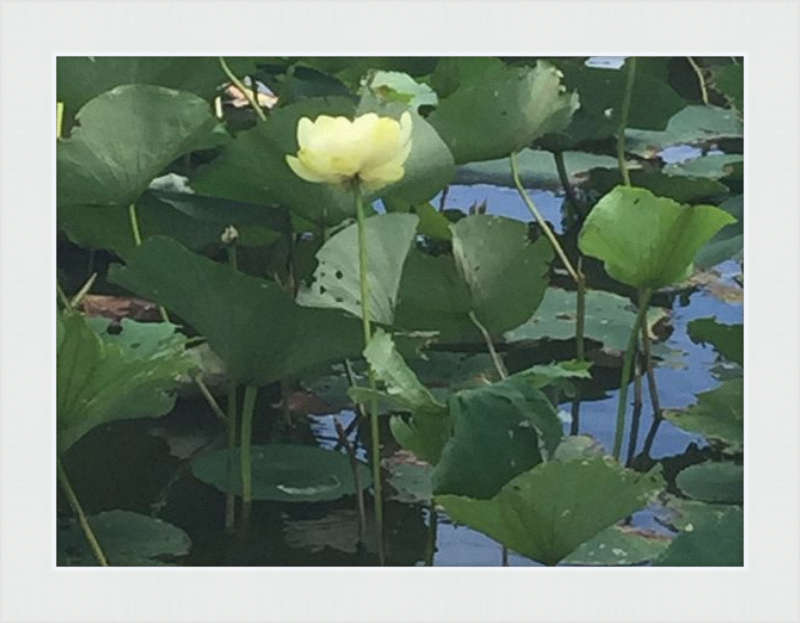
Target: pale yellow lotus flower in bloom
[(335, 150)]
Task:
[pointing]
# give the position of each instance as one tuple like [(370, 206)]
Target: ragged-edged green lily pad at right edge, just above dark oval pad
[(718, 414)]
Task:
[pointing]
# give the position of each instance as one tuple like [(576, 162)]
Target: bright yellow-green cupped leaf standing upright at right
[(647, 241)]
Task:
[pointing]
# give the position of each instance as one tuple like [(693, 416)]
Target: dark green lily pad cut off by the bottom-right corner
[(716, 542)]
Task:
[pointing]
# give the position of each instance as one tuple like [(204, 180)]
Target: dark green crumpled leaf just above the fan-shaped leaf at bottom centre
[(500, 431)]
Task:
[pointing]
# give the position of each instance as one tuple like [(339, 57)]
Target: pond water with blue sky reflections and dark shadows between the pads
[(136, 465)]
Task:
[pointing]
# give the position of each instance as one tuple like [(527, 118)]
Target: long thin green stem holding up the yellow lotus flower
[(373, 403)]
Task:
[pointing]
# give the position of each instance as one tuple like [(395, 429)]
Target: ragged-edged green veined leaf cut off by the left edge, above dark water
[(100, 378)]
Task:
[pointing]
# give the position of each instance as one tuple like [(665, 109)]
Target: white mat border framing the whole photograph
[(33, 32)]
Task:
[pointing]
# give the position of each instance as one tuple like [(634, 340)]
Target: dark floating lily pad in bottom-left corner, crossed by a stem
[(127, 539)]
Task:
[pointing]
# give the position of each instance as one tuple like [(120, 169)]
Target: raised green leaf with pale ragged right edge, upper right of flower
[(498, 112)]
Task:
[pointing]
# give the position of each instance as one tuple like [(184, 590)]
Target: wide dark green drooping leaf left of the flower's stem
[(252, 324)]
